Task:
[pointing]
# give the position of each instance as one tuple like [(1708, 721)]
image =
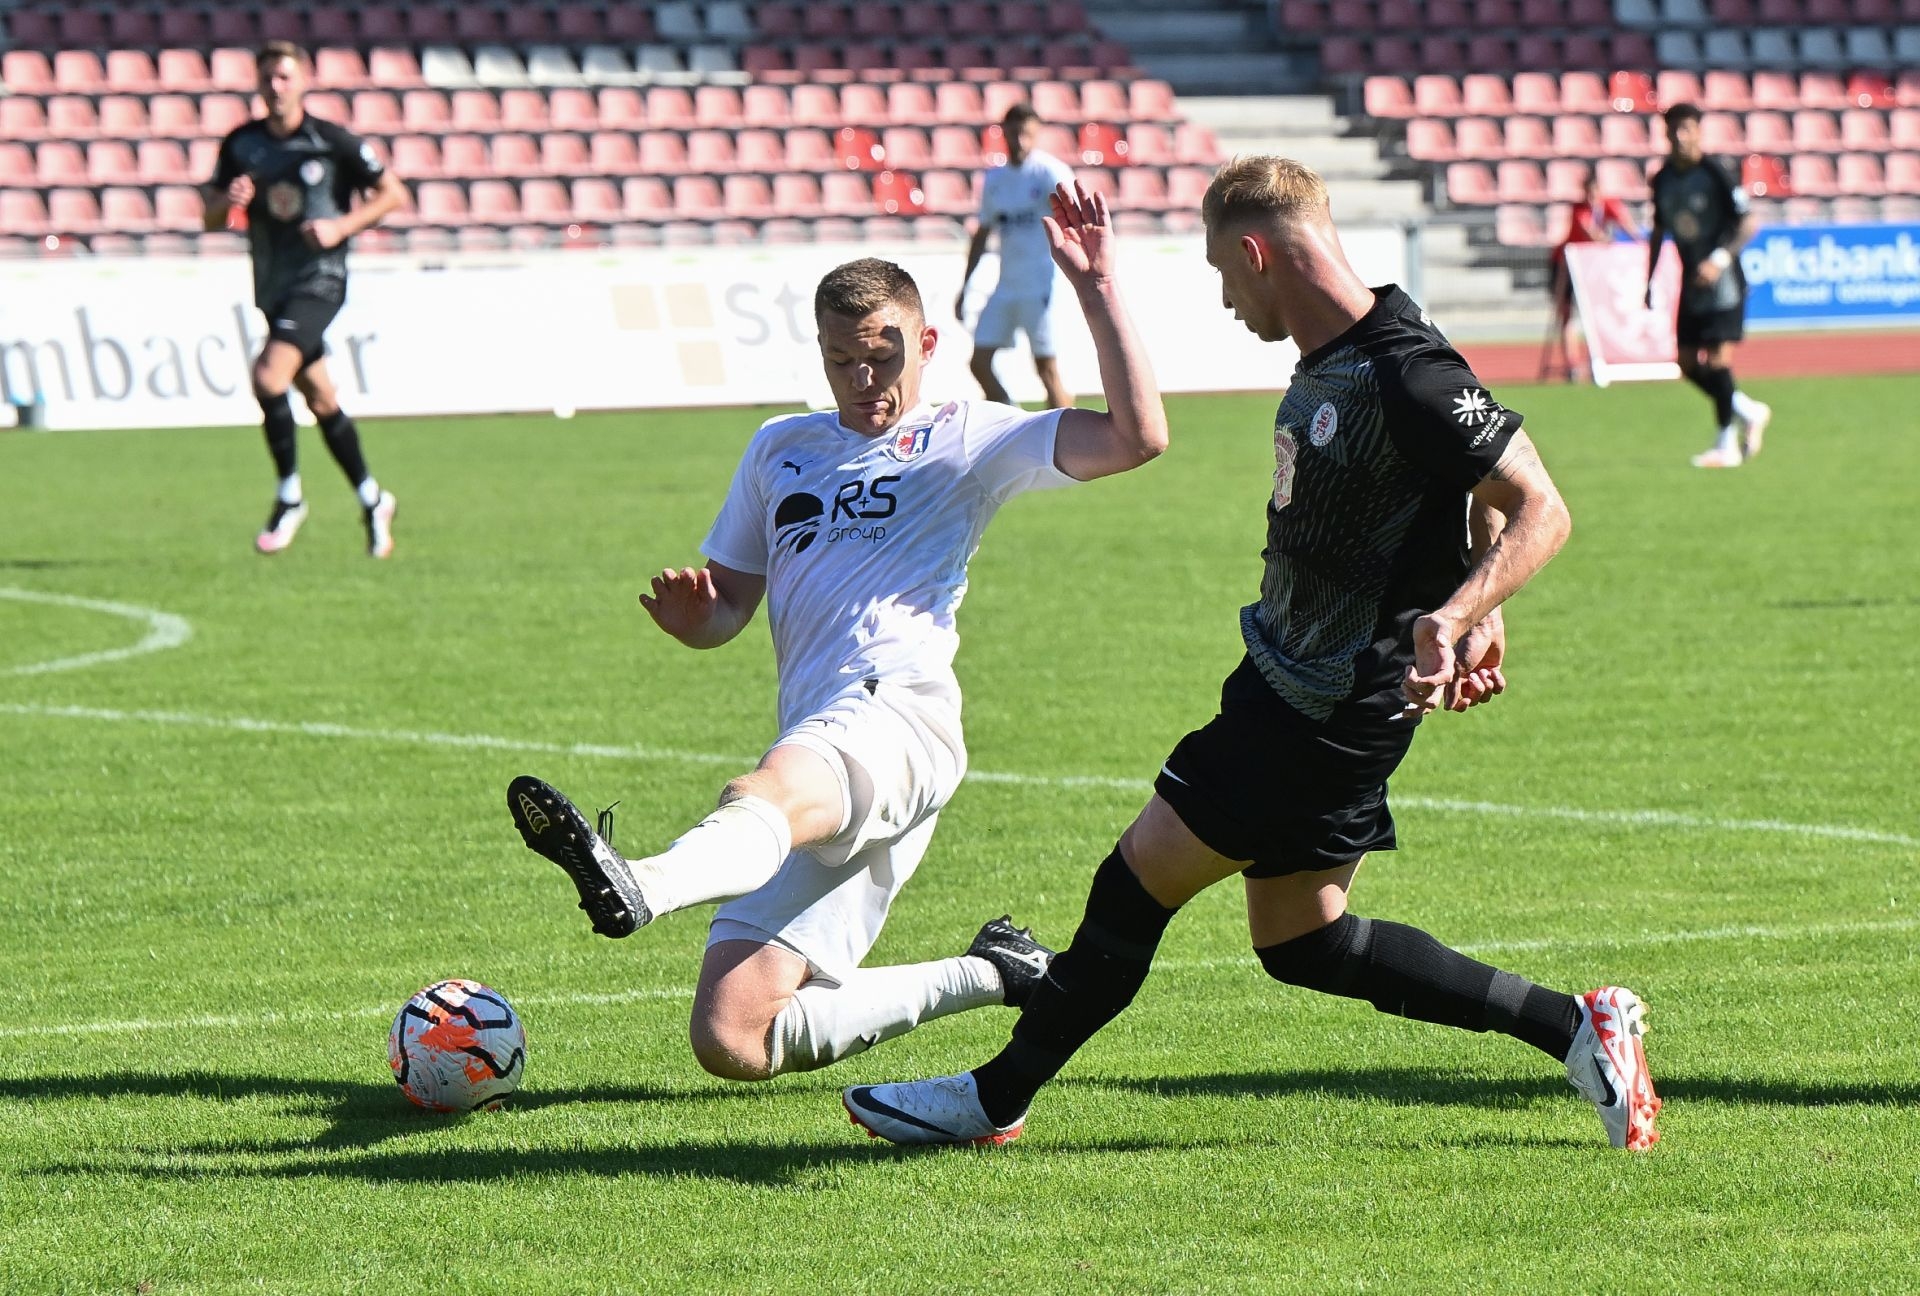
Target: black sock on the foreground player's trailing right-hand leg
[(1410, 974)]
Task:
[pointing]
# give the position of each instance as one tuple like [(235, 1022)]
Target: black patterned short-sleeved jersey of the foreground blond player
[(1378, 444)]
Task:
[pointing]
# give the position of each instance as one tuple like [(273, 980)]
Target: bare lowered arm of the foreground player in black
[(1537, 525)]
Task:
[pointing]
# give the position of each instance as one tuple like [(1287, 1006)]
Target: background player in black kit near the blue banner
[(1704, 210)]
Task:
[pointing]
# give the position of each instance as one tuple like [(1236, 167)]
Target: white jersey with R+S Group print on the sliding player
[(865, 540)]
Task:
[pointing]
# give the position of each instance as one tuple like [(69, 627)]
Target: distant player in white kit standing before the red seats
[(1015, 203)]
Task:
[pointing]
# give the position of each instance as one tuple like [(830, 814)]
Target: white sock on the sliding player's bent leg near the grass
[(827, 1020)]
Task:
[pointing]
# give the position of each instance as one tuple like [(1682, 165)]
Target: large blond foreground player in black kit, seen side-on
[(1408, 506)]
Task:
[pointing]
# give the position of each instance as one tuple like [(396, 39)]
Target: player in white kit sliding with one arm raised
[(857, 527)]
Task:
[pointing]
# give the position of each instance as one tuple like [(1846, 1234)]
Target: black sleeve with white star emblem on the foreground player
[(1443, 420)]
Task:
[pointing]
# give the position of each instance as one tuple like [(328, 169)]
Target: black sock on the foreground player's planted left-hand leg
[(1088, 986)]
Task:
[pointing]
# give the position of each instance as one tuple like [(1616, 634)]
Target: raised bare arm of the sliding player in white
[(1136, 425)]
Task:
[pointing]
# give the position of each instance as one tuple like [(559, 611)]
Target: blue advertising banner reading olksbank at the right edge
[(1812, 276)]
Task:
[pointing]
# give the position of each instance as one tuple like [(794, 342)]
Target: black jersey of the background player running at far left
[(308, 176)]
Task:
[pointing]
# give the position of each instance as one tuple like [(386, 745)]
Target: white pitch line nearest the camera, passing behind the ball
[(256, 1020)]
